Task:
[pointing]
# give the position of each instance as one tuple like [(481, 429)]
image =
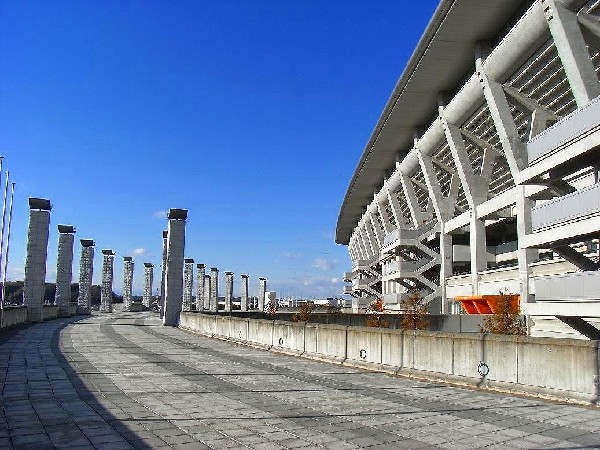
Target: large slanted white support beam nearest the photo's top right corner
[(572, 51)]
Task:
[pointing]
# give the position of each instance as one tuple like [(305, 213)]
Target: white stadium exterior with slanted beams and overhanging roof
[(481, 174)]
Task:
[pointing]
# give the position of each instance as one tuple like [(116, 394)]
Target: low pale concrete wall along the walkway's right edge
[(566, 369)]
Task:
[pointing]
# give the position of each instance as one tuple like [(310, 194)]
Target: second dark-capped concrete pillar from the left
[(64, 269)]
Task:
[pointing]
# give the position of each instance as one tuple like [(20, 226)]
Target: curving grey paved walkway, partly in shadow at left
[(122, 381)]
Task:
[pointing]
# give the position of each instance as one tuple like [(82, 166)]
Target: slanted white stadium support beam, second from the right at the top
[(514, 149)]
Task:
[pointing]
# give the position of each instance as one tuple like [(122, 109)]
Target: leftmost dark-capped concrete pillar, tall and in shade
[(35, 263)]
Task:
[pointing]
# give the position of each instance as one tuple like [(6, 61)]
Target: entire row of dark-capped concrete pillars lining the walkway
[(176, 277)]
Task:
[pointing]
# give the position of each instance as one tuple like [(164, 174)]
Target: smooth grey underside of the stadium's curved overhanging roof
[(444, 55)]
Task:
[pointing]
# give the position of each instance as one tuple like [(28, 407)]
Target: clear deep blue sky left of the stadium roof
[(251, 114)]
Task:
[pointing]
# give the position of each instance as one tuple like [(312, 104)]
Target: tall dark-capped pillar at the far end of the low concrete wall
[(174, 272)]
